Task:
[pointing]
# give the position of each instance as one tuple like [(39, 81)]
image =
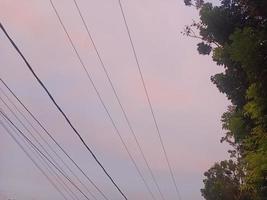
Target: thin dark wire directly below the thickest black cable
[(53, 139)]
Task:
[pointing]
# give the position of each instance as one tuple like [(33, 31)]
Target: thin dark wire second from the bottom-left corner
[(35, 147)]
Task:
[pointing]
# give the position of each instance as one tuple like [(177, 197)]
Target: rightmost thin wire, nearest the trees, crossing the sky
[(148, 99)]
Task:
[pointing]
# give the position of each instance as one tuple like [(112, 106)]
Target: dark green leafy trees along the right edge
[(235, 33)]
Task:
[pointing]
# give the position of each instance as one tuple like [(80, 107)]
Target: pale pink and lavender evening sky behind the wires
[(186, 104)]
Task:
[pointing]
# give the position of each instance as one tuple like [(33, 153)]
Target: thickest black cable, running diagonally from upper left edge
[(62, 112)]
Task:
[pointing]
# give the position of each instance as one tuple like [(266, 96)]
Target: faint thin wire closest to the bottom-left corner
[(33, 161)]
